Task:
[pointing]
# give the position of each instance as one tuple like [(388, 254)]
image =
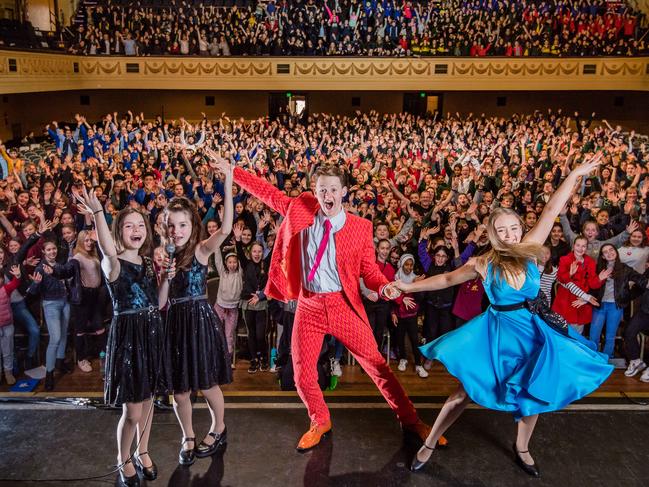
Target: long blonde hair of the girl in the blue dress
[(508, 260)]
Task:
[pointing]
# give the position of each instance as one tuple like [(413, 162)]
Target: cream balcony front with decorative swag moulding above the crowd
[(24, 72)]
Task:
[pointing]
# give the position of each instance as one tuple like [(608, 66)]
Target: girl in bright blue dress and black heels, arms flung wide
[(524, 359)]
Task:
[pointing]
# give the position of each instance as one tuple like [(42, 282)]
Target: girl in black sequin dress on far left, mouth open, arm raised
[(134, 367)]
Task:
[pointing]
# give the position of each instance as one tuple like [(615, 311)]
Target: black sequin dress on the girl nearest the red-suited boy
[(195, 339)]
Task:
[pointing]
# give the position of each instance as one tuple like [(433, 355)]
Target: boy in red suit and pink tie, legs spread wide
[(320, 254)]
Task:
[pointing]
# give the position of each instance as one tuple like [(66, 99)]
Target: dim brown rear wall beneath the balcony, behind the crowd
[(22, 113)]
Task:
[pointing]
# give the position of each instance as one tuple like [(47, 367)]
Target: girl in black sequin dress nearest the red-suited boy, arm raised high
[(195, 339)]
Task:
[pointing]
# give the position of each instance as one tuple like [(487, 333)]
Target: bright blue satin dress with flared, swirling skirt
[(513, 361)]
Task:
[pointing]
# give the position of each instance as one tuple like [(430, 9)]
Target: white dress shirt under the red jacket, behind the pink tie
[(326, 279)]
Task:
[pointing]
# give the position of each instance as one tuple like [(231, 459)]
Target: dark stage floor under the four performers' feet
[(594, 448)]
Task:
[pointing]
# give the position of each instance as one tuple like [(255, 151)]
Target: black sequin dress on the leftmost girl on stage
[(135, 370)]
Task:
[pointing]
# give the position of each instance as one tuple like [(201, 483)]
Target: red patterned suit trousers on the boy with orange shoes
[(323, 314)]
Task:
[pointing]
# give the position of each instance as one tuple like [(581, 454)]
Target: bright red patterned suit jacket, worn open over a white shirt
[(355, 256)]
